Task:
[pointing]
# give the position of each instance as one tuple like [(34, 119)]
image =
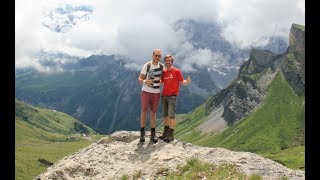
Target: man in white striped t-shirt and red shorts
[(150, 76)]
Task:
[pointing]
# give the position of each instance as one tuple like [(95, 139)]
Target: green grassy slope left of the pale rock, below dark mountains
[(42, 137)]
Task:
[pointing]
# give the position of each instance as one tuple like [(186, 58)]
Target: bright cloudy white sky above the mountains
[(134, 28)]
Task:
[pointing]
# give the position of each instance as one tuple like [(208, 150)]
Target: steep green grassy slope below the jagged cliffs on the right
[(273, 129)]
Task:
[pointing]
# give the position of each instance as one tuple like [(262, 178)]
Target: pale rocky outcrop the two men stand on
[(123, 154)]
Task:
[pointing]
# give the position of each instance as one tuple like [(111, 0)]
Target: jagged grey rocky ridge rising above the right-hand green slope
[(248, 90)]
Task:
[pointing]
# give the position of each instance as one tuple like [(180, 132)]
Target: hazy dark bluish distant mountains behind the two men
[(101, 92)]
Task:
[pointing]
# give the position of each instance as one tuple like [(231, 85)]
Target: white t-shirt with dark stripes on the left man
[(154, 73)]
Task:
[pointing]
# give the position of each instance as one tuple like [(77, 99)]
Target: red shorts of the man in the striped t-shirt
[(150, 100)]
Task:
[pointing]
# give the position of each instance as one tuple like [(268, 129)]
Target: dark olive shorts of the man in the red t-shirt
[(169, 106)]
